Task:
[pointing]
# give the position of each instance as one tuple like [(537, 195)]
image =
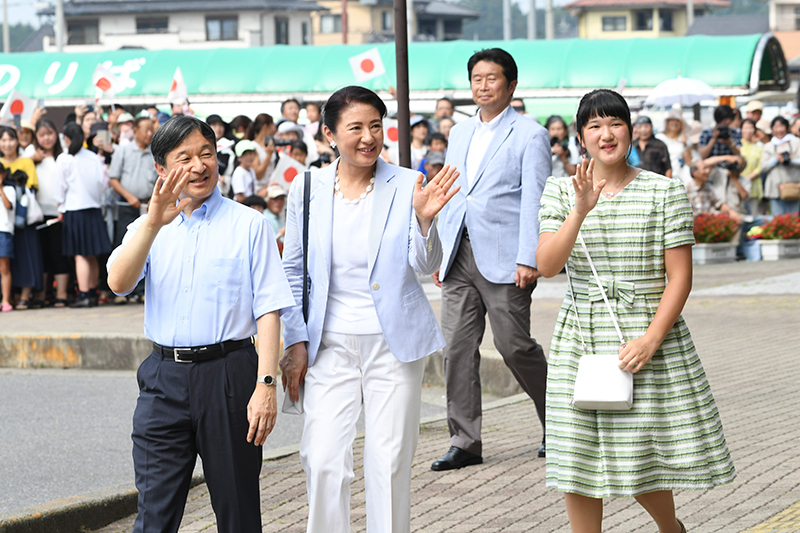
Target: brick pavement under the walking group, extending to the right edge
[(749, 346)]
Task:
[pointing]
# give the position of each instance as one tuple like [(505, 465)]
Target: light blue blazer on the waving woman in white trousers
[(396, 252)]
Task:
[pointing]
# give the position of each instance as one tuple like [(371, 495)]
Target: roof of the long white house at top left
[(103, 7)]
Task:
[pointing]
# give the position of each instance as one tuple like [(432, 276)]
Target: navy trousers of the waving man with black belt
[(186, 409)]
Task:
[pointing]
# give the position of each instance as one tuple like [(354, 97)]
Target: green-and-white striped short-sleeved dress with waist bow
[(672, 437)]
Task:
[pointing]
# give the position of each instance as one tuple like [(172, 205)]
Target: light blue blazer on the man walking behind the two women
[(501, 209)]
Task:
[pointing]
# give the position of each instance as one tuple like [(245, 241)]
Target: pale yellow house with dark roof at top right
[(626, 19)]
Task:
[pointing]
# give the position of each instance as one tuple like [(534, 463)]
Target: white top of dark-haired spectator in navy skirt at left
[(80, 182)]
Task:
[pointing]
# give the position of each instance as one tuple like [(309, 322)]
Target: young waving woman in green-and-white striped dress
[(638, 230)]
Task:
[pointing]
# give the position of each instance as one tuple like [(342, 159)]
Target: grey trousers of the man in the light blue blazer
[(467, 297)]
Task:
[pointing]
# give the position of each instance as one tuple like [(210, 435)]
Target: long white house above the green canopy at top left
[(93, 25)]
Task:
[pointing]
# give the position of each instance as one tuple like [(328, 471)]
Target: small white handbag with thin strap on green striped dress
[(600, 384)]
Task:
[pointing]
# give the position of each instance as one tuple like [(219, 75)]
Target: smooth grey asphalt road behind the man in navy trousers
[(67, 432)]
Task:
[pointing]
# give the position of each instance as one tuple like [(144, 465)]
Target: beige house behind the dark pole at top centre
[(372, 21)]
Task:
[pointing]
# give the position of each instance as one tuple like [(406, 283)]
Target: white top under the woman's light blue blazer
[(350, 308)]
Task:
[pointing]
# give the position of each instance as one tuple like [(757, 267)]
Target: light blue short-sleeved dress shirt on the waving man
[(209, 277)]
